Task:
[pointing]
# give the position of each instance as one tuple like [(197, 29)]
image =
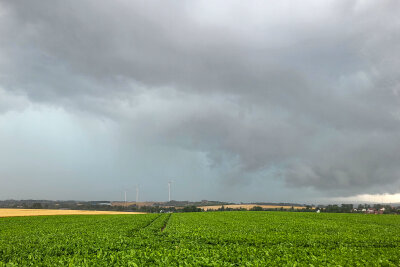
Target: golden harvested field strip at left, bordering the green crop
[(42, 212)]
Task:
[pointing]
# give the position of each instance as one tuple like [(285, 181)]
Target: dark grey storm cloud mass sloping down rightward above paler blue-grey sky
[(310, 91)]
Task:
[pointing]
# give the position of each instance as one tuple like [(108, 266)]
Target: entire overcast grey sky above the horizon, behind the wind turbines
[(289, 101)]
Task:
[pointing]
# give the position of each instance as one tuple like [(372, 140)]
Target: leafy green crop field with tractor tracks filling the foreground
[(206, 239)]
